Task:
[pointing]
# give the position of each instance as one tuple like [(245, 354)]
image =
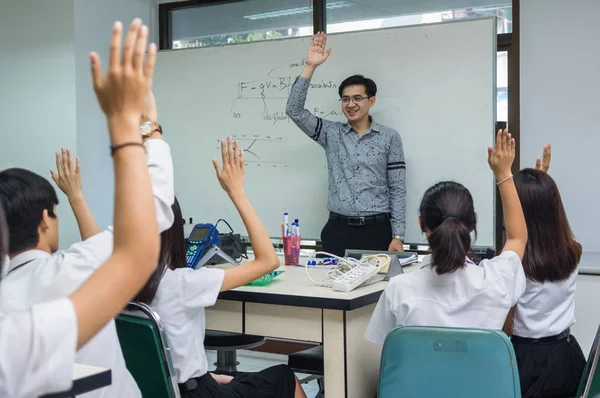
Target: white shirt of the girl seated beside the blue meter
[(180, 300)]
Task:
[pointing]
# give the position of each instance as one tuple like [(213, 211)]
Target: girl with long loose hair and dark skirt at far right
[(550, 360)]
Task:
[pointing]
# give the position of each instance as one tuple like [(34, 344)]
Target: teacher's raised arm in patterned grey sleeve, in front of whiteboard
[(313, 126)]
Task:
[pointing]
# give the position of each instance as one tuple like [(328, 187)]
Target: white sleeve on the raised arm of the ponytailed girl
[(510, 272)]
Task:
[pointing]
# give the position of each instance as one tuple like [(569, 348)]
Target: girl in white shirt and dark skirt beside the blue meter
[(179, 294)]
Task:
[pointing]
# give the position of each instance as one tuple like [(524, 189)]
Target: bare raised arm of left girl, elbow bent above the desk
[(231, 178)]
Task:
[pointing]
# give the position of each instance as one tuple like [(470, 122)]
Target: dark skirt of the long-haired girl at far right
[(549, 369)]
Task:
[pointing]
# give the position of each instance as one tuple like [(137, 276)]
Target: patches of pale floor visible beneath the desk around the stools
[(251, 361)]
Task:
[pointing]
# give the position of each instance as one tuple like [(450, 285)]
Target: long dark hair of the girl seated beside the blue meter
[(172, 255)]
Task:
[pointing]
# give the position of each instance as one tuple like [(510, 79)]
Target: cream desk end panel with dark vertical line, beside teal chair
[(351, 363)]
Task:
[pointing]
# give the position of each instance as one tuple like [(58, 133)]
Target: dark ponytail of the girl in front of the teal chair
[(449, 243)]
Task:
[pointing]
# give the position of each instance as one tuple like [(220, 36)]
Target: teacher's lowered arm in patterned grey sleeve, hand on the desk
[(396, 172)]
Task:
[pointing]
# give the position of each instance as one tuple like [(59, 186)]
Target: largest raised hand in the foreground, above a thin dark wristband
[(124, 90)]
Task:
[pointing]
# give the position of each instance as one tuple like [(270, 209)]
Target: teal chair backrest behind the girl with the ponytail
[(448, 362)]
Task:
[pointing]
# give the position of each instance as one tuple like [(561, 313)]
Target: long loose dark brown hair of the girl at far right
[(551, 253)]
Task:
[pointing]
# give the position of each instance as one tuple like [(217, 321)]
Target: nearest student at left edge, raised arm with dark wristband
[(37, 347)]
